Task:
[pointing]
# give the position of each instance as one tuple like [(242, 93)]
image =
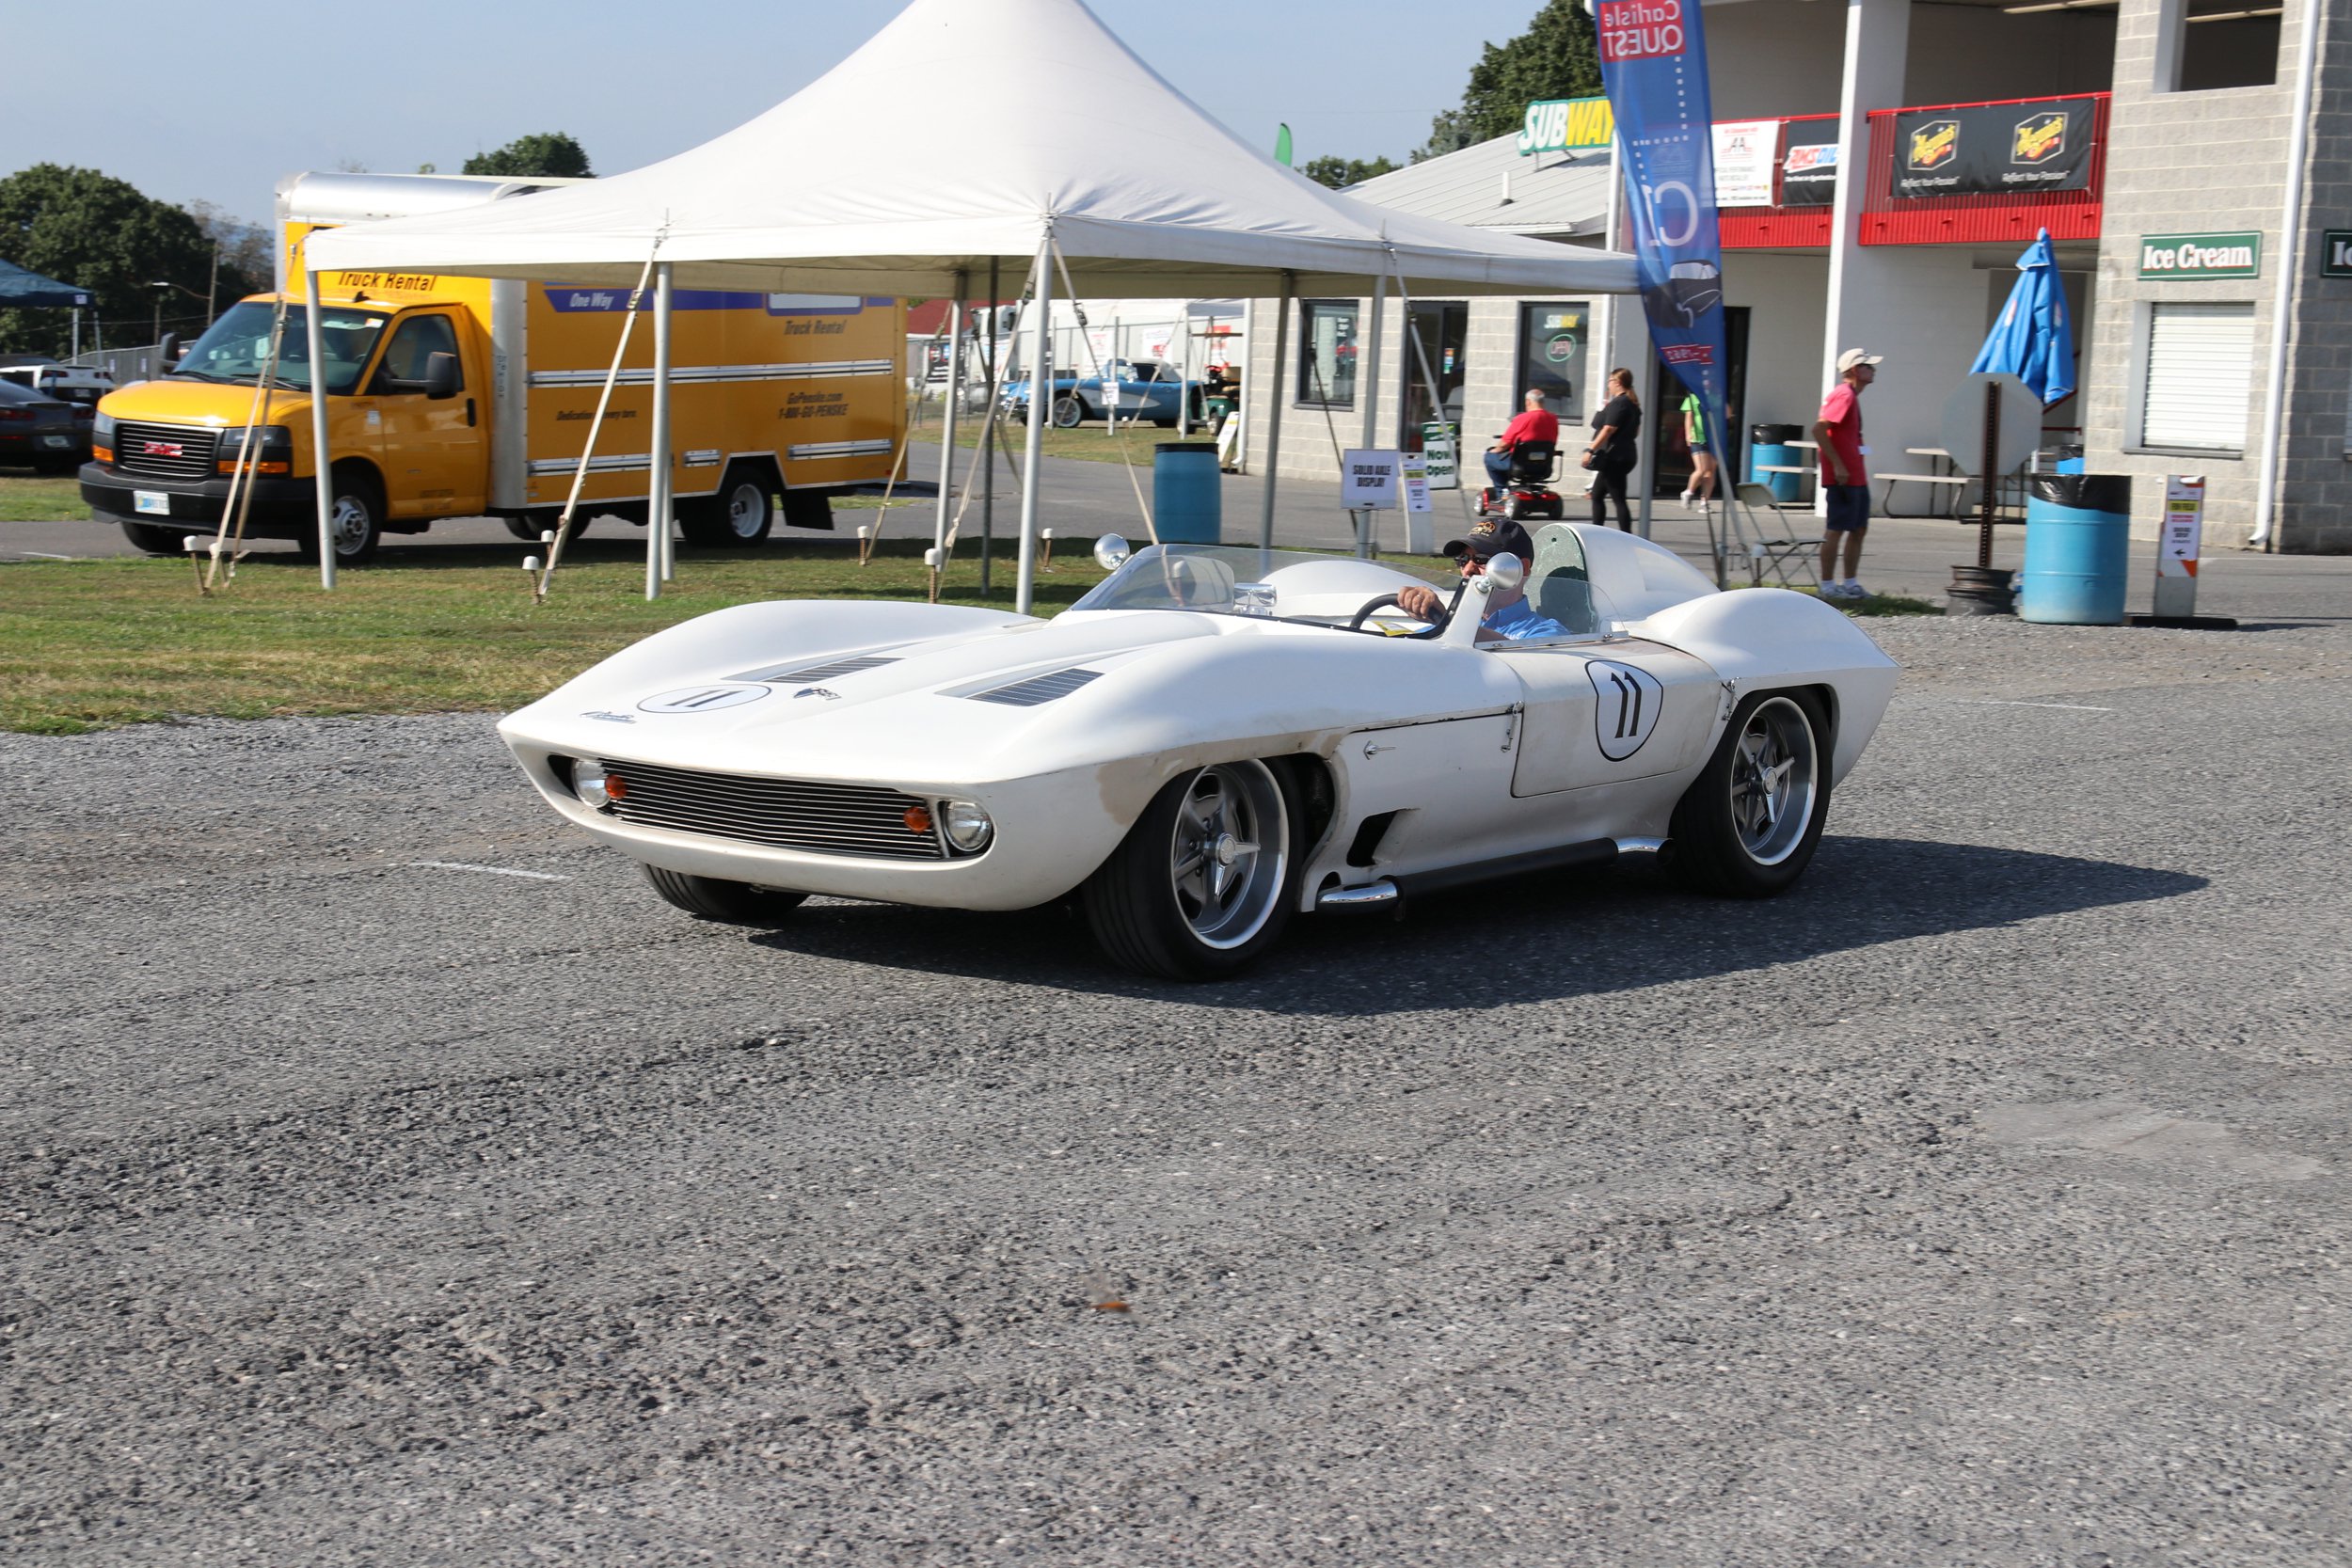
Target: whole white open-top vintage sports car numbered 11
[(1220, 739)]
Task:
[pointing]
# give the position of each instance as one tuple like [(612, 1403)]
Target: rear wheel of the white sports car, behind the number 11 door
[(1751, 822)]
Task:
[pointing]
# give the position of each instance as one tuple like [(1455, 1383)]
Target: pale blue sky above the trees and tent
[(267, 88)]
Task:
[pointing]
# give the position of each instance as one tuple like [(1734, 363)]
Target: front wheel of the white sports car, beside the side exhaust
[(1205, 880)]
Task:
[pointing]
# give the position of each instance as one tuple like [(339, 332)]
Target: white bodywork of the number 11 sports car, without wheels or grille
[(1481, 753)]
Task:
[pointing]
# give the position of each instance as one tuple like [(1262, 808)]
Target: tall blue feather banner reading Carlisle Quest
[(1655, 65)]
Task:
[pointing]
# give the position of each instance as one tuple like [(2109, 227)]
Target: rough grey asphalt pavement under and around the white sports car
[(392, 1179)]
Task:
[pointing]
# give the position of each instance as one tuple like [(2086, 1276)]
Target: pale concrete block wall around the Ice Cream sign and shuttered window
[(2184, 163)]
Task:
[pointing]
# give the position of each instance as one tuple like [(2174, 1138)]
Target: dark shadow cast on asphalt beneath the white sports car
[(1617, 930)]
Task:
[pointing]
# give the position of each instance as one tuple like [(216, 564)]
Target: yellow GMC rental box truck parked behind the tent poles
[(469, 396)]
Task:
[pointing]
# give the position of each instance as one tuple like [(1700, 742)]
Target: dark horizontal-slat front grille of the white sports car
[(824, 819)]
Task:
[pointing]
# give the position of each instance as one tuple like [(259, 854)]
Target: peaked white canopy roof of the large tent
[(930, 152)]
